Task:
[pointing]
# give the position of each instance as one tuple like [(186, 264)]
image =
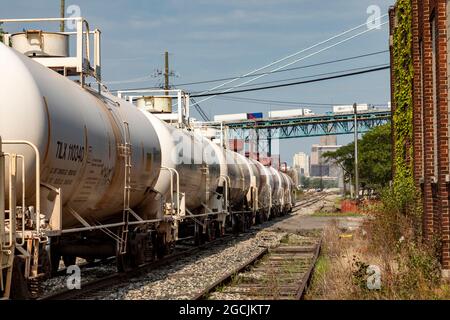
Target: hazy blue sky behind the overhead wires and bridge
[(210, 39)]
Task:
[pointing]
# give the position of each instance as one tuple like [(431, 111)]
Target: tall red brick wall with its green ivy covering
[(419, 31)]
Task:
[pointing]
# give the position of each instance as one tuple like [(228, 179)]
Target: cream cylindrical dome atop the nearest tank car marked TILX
[(37, 43)]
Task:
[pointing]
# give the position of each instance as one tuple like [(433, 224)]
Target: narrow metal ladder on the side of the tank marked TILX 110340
[(126, 154)]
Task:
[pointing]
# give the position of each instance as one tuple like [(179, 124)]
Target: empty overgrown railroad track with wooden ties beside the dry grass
[(281, 273)]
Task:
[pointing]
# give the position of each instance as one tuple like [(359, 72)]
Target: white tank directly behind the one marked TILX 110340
[(196, 159)]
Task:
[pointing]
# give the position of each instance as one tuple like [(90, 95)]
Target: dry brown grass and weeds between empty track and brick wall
[(389, 240)]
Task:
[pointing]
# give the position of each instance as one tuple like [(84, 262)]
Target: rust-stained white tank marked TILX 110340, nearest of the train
[(78, 134)]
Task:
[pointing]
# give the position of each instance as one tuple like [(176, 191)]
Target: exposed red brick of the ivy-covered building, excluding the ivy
[(430, 29)]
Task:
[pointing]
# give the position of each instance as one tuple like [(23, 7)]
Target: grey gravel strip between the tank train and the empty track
[(189, 276)]
